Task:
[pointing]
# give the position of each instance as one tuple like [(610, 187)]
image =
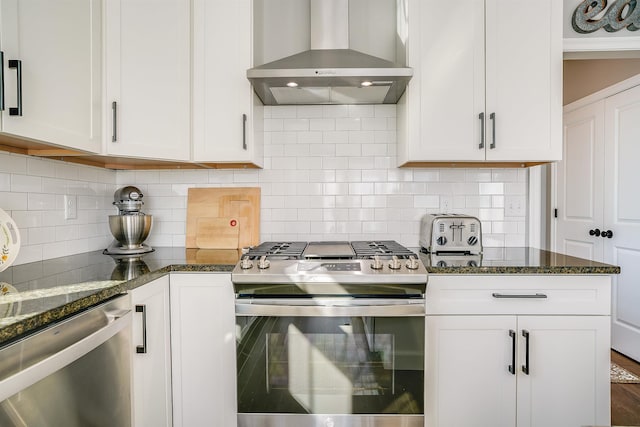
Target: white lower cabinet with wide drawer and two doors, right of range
[(519, 366)]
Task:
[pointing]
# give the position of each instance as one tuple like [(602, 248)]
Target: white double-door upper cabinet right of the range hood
[(487, 83)]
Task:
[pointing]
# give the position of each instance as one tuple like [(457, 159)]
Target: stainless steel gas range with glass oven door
[(330, 334)]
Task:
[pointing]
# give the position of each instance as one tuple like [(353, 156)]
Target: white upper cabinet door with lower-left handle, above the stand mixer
[(148, 86)]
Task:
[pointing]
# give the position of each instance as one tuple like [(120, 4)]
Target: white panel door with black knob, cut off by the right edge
[(622, 216)]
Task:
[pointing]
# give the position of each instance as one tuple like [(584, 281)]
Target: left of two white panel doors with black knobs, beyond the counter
[(579, 184)]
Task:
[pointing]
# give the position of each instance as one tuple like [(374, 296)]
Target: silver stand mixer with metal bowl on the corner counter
[(131, 226)]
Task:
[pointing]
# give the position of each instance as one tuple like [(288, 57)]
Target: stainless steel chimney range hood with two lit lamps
[(329, 73)]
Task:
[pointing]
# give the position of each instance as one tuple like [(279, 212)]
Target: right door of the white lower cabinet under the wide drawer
[(568, 380)]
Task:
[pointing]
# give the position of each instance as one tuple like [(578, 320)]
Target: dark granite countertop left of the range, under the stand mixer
[(37, 294)]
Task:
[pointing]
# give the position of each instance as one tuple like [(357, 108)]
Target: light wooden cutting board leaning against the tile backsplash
[(223, 218)]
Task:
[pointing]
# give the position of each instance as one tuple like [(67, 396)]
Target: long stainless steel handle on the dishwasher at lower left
[(117, 320)]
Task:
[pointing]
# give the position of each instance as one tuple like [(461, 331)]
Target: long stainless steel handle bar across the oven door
[(330, 307)]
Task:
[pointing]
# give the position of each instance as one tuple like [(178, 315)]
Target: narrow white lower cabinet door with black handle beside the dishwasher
[(151, 353)]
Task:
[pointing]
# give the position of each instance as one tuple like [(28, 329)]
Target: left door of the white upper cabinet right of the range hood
[(449, 63)]
